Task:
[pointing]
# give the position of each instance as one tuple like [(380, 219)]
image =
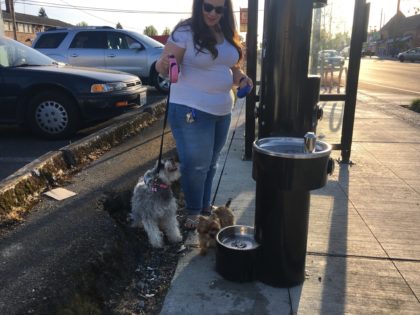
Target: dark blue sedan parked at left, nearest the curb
[(54, 99)]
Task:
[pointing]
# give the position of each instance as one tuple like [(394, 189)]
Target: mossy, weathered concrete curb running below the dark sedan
[(21, 190)]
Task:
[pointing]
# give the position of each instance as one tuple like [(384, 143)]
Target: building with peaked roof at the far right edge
[(399, 34)]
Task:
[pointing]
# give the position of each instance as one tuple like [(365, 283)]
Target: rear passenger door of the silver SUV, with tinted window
[(87, 49)]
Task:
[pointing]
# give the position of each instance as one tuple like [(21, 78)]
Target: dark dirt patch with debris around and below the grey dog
[(134, 279)]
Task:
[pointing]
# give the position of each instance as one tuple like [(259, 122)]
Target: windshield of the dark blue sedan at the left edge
[(15, 54)]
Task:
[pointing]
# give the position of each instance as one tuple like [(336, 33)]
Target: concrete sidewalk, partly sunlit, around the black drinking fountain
[(363, 243)]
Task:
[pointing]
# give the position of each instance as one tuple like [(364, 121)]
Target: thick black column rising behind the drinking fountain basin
[(289, 97)]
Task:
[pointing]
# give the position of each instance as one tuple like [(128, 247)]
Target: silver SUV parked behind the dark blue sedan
[(105, 47)]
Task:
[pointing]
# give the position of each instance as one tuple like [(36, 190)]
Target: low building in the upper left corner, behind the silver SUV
[(26, 25)]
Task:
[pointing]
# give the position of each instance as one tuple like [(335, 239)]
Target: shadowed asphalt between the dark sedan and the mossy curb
[(19, 147)]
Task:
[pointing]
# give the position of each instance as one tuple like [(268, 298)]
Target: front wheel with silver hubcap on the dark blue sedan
[(53, 115)]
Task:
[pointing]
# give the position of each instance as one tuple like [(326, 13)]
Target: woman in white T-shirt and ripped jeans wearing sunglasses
[(209, 53)]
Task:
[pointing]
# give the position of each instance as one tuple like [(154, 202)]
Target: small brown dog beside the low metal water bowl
[(208, 227)]
